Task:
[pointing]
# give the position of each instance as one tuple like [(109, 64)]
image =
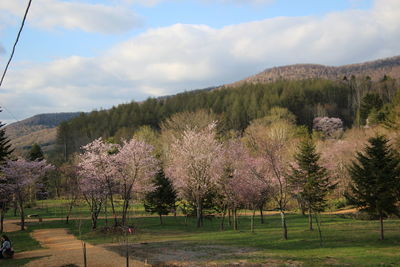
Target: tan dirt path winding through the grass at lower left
[(64, 249)]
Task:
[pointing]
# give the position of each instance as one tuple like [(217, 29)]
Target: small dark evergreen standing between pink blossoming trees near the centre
[(163, 198)]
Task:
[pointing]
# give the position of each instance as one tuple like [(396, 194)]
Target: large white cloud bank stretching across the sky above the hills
[(171, 59)]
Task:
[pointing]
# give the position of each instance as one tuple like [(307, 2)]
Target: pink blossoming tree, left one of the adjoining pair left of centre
[(98, 160)]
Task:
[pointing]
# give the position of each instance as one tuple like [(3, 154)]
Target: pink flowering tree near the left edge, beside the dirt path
[(19, 175)]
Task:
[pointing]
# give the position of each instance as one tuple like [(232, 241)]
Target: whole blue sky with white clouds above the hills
[(81, 55)]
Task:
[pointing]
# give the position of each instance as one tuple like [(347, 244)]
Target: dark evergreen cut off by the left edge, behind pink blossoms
[(5, 152)]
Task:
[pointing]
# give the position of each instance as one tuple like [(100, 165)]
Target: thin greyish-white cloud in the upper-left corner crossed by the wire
[(48, 14)]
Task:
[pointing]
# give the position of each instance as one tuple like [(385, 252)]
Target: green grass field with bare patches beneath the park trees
[(346, 241)]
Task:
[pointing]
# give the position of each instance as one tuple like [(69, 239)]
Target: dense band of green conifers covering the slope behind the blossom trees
[(235, 107)]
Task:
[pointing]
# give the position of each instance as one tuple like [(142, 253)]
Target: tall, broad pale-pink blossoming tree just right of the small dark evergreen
[(195, 163)]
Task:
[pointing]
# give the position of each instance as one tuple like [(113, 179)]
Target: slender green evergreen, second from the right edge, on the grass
[(310, 180)]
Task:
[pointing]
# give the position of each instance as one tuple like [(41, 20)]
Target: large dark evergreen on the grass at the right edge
[(375, 178)]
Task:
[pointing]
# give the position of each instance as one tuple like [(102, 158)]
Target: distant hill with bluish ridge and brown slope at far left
[(41, 129)]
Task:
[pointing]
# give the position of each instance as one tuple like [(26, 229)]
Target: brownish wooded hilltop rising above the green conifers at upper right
[(374, 69)]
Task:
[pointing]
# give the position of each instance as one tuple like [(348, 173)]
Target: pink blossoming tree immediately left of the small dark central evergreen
[(136, 167)]
